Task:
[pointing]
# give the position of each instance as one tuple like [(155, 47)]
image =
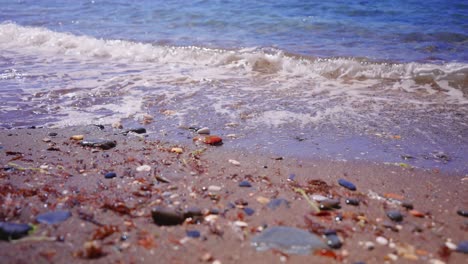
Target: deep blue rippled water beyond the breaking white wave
[(398, 30)]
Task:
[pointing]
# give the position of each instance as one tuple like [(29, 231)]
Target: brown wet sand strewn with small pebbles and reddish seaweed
[(112, 222)]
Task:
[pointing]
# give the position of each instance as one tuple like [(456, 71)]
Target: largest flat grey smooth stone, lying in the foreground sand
[(287, 239)]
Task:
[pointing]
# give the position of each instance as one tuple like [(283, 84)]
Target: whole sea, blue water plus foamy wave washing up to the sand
[(373, 80)]
